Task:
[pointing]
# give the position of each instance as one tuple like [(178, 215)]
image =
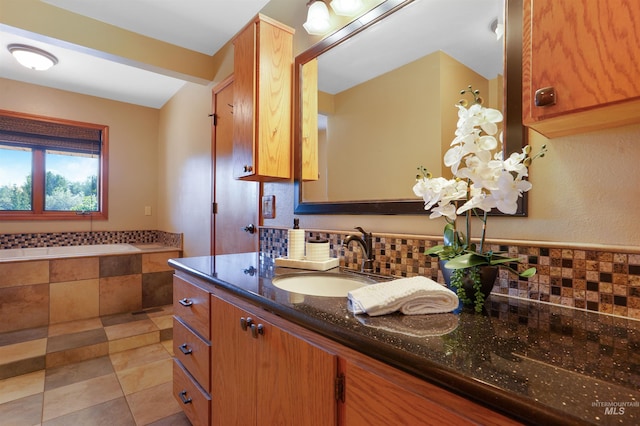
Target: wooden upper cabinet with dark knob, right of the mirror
[(589, 54)]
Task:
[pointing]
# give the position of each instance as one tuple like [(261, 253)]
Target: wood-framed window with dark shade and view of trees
[(52, 169)]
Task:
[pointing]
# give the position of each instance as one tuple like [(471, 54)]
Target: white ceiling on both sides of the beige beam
[(202, 26)]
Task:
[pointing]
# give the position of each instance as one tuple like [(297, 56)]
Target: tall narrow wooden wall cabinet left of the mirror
[(263, 66)]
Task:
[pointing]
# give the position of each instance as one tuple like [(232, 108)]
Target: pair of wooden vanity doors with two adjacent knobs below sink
[(263, 375)]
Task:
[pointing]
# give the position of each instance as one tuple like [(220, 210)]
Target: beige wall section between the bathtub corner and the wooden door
[(184, 164)]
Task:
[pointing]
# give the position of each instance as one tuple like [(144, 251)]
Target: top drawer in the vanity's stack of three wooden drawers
[(191, 304)]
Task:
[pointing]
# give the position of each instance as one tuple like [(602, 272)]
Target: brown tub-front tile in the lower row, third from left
[(120, 294)]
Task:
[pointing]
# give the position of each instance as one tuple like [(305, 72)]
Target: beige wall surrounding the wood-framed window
[(133, 166)]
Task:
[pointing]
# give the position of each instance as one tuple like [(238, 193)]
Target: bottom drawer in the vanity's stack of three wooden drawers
[(195, 403)]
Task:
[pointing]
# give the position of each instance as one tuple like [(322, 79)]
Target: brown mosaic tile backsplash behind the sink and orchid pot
[(588, 279)]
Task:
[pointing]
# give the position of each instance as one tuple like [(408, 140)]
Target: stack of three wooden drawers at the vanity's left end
[(192, 350)]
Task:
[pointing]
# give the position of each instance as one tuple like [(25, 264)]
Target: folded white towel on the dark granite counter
[(411, 296)]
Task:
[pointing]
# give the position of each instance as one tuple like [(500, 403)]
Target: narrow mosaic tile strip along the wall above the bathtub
[(59, 239)]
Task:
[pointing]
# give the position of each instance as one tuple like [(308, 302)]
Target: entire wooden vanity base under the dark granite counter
[(267, 370)]
